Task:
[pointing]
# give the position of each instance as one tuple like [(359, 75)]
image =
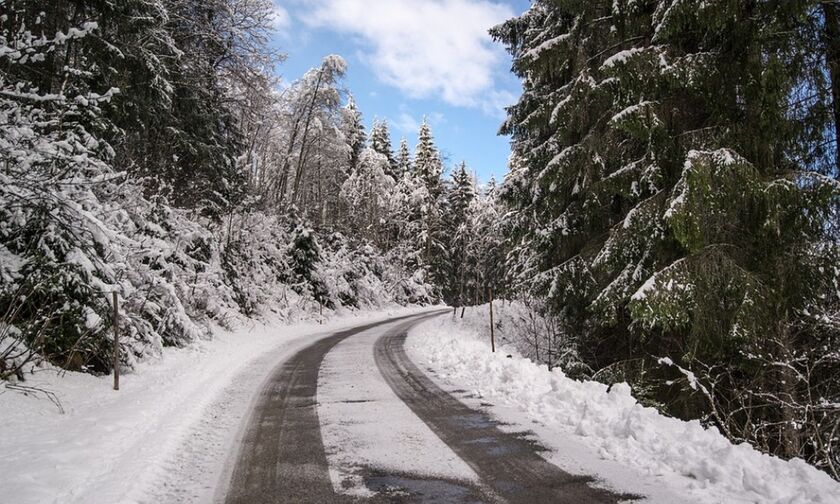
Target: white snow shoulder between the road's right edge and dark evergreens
[(605, 432)]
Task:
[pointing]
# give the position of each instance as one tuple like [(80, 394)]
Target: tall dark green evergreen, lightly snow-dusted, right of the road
[(664, 205)]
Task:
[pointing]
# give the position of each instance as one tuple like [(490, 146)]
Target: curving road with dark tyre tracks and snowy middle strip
[(352, 412)]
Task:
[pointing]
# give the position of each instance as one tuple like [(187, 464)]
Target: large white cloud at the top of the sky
[(426, 48)]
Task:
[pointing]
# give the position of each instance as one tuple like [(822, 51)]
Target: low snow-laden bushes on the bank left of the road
[(176, 272)]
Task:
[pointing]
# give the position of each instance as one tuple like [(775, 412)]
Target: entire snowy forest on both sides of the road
[(671, 214)]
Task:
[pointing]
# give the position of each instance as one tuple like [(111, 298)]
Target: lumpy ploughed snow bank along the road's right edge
[(609, 419)]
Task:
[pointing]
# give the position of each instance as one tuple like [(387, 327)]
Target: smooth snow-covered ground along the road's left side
[(166, 436)]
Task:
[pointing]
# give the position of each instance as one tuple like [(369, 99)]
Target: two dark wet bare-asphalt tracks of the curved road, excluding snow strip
[(282, 458)]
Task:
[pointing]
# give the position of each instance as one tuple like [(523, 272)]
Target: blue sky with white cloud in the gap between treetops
[(410, 58)]
